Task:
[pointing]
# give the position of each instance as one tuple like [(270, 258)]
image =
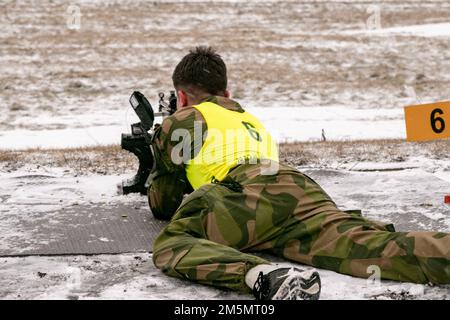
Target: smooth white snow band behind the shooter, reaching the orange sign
[(285, 123)]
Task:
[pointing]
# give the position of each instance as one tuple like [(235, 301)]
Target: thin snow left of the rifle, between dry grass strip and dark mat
[(33, 195)]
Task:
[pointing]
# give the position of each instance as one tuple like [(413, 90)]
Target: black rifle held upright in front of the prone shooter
[(139, 141)]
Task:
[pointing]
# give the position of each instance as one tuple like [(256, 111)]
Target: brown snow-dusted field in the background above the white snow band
[(277, 51)]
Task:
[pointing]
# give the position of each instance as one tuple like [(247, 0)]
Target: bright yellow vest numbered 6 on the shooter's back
[(232, 138)]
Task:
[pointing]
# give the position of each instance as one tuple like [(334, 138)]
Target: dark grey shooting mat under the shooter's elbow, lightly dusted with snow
[(86, 230)]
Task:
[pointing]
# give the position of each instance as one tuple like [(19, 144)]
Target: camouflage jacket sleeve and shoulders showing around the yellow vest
[(169, 183)]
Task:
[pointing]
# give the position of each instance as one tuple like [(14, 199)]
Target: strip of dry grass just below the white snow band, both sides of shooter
[(113, 160)]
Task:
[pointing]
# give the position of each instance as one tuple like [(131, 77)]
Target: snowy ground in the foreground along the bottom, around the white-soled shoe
[(133, 276)]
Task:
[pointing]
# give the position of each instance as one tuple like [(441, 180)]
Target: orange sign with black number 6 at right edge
[(428, 121)]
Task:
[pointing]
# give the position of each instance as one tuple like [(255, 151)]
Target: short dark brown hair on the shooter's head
[(202, 69)]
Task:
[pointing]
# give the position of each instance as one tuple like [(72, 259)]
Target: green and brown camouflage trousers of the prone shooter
[(214, 231)]
